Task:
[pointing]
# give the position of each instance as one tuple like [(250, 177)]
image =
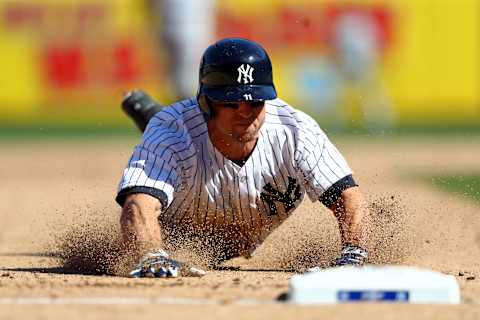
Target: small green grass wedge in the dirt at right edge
[(466, 186)]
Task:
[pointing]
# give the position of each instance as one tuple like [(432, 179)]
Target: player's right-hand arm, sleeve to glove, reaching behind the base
[(329, 179)]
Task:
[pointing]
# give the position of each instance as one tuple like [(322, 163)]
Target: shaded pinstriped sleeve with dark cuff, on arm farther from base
[(152, 172)]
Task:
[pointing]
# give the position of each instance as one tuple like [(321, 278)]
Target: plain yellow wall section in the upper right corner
[(434, 70)]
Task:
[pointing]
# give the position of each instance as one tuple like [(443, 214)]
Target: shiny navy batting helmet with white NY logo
[(235, 69)]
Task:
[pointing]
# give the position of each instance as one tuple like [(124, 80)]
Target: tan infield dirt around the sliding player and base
[(57, 206)]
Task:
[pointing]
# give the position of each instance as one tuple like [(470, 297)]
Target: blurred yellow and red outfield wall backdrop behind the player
[(369, 66)]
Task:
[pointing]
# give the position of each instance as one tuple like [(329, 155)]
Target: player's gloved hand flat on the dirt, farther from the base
[(157, 264)]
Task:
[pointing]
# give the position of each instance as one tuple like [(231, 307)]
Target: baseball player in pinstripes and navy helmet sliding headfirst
[(217, 173)]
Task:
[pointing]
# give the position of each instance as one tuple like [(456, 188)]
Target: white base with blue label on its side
[(374, 284)]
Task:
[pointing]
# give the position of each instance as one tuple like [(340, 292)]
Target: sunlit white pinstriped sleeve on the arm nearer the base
[(320, 163)]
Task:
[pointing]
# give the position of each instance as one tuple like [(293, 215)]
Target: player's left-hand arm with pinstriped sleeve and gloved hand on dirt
[(147, 186)]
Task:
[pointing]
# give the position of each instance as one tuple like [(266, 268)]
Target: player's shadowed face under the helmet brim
[(240, 120)]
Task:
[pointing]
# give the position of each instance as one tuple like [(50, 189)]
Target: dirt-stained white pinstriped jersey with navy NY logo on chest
[(202, 190)]
